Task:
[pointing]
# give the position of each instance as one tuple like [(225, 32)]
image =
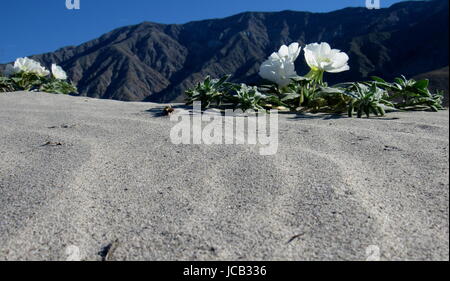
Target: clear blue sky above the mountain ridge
[(38, 26)]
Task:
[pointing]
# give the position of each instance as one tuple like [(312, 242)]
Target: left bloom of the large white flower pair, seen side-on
[(280, 68)]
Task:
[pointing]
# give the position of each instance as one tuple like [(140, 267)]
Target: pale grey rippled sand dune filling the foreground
[(110, 173)]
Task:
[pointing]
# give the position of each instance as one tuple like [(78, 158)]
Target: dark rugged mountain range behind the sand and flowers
[(156, 62)]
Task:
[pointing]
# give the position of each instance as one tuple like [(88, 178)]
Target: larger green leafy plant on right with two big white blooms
[(310, 93)]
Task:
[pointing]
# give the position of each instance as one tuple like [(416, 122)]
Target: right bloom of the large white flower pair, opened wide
[(320, 57)]
